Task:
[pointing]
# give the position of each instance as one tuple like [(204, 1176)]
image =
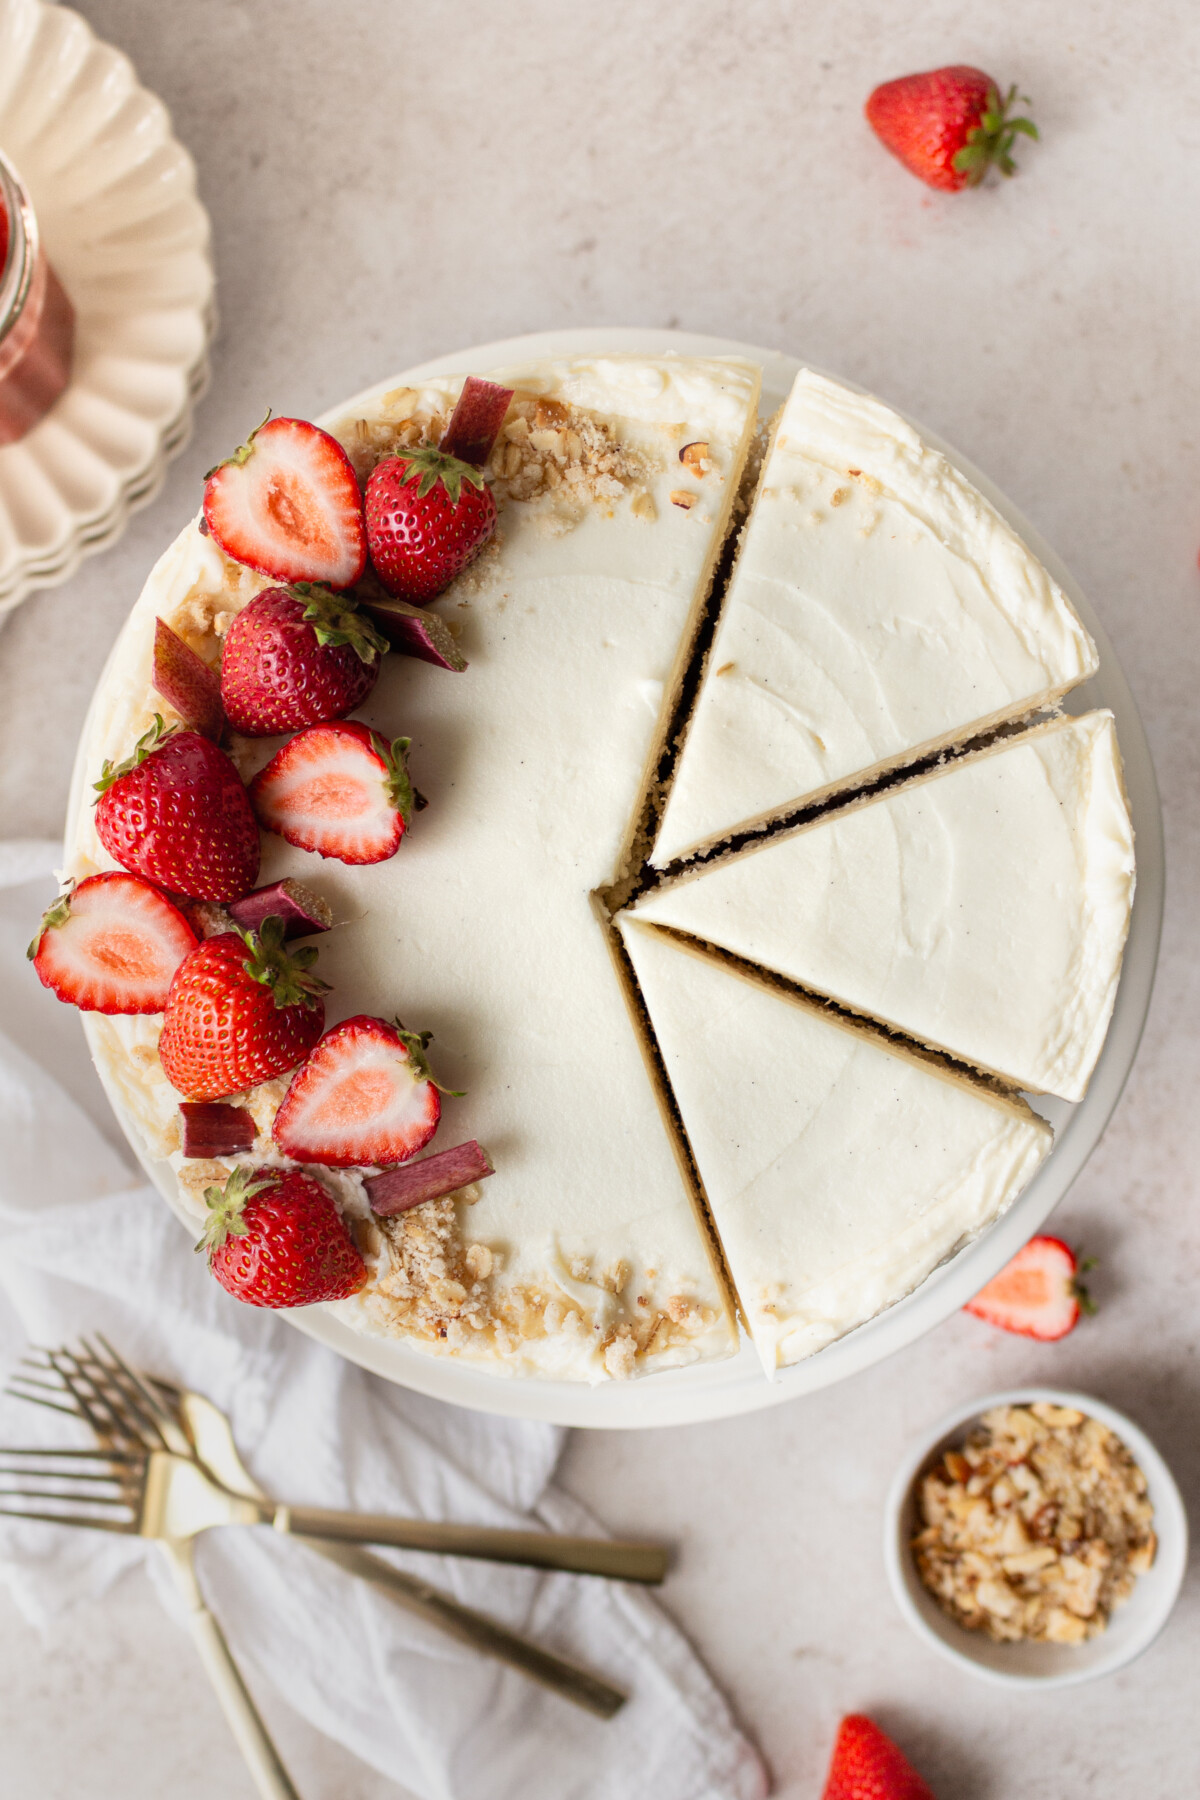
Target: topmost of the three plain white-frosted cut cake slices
[(881, 611)]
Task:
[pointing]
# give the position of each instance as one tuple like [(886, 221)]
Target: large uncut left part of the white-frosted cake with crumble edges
[(586, 1255)]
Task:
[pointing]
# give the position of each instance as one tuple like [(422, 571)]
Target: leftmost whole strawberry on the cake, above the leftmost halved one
[(179, 814)]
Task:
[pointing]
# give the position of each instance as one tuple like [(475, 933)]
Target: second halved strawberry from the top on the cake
[(341, 791)]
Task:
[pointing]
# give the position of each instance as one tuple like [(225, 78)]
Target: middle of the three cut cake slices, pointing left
[(981, 908)]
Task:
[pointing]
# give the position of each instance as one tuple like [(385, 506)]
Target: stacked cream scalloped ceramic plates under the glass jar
[(116, 202)]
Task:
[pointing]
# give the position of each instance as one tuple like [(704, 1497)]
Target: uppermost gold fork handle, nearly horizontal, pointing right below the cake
[(542, 1551)]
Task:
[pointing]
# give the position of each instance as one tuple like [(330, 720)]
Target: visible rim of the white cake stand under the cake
[(717, 1390)]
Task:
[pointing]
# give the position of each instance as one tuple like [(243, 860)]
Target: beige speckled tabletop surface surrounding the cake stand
[(391, 179)]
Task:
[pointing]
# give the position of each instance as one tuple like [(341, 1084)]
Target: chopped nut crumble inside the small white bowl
[(1037, 1527)]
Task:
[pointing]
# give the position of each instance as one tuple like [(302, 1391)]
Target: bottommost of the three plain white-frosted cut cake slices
[(839, 1171)]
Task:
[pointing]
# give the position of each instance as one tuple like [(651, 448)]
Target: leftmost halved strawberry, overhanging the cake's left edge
[(112, 944)]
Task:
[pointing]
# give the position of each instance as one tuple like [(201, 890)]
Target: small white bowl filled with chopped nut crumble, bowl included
[(1037, 1538)]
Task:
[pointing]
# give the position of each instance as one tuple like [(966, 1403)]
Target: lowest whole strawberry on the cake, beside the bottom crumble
[(276, 1239)]
